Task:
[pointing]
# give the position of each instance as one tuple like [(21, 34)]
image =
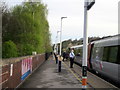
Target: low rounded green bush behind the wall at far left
[(9, 49)]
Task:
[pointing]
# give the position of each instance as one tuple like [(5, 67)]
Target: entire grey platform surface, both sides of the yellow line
[(47, 76)]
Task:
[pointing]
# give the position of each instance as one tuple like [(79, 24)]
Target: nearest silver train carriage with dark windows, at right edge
[(105, 58)]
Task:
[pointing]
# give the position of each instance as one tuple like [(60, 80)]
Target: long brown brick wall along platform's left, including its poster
[(13, 74)]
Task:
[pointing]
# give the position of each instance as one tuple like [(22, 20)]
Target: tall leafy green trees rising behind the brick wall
[(27, 26)]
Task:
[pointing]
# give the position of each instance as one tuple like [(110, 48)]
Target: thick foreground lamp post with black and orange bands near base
[(87, 5)]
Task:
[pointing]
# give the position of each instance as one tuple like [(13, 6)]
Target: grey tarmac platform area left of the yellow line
[(47, 76)]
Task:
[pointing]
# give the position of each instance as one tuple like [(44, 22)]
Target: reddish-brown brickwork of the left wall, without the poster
[(7, 81)]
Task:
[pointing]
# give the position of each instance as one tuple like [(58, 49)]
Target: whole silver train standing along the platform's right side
[(103, 57)]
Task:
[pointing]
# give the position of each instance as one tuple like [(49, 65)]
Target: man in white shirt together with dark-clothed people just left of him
[(70, 55)]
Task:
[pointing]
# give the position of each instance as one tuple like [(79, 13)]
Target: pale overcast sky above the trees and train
[(102, 18)]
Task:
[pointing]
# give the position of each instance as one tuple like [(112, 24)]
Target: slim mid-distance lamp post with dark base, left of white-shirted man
[(59, 65)]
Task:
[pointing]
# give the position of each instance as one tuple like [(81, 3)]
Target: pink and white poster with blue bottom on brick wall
[(26, 67)]
